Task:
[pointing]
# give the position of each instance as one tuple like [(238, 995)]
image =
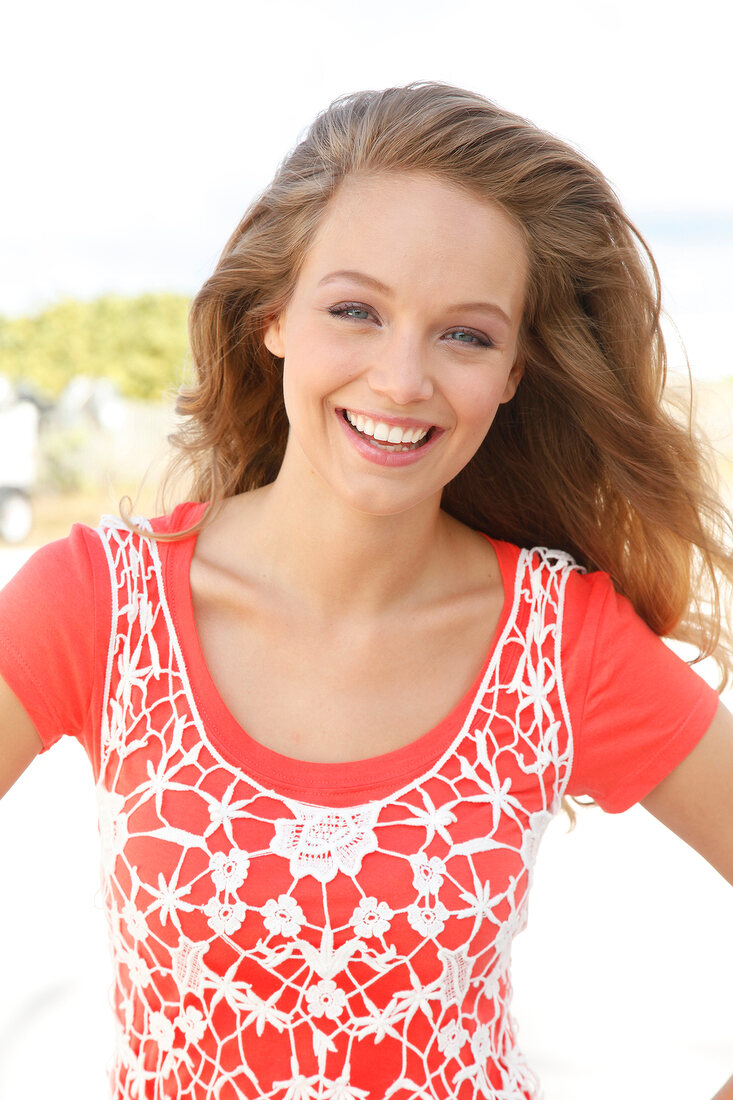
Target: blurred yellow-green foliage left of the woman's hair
[(139, 344)]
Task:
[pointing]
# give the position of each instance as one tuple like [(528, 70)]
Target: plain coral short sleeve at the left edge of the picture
[(56, 617)]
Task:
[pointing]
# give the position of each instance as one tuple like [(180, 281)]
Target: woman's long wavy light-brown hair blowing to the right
[(588, 457)]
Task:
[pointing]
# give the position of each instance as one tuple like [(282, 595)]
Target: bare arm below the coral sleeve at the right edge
[(696, 800)]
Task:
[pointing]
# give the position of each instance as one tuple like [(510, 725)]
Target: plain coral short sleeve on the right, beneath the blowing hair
[(637, 708)]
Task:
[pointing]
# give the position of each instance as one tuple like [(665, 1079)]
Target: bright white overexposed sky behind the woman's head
[(135, 135)]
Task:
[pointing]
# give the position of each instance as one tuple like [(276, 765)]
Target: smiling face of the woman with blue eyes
[(400, 342)]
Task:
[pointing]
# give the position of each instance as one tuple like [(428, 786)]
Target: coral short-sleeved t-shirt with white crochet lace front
[(285, 929)]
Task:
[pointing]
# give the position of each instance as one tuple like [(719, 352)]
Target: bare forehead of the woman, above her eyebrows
[(413, 232)]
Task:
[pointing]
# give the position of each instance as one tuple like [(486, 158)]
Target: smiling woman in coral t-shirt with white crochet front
[(439, 521)]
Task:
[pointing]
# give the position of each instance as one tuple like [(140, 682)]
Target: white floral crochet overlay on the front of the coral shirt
[(269, 948)]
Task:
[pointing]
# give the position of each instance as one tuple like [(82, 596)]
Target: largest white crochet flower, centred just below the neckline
[(324, 841)]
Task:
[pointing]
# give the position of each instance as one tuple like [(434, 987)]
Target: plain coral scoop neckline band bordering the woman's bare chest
[(338, 780)]
